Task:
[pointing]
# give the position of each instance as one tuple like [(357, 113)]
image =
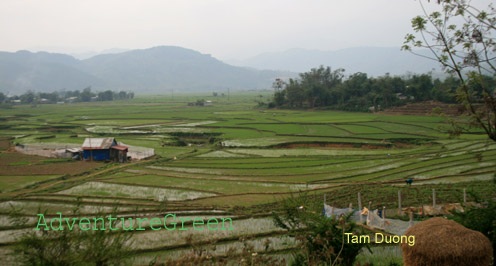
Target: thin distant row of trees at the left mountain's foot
[(86, 95)]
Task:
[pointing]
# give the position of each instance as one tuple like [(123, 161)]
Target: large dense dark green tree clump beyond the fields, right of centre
[(326, 88)]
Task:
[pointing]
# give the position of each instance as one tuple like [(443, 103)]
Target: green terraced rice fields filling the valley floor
[(229, 160)]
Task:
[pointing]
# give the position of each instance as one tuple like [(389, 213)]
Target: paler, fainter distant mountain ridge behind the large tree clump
[(375, 61)]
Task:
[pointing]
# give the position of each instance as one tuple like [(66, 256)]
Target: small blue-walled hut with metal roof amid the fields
[(104, 149)]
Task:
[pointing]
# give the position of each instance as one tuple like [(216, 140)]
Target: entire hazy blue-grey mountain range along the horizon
[(161, 69)]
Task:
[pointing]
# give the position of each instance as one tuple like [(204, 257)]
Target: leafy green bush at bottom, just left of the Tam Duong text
[(321, 239)]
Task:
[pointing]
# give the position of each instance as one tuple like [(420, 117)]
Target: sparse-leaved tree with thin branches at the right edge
[(461, 38)]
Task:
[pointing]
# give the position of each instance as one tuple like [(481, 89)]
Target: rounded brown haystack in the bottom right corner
[(440, 242)]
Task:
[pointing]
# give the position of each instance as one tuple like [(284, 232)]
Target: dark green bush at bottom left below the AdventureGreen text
[(70, 247)]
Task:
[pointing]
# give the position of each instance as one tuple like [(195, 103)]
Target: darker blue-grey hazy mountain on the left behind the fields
[(155, 70)]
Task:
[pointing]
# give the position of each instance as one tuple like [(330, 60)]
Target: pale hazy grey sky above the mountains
[(227, 29)]
